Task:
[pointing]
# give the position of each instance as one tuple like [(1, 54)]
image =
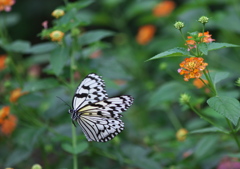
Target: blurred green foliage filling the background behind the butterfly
[(106, 44)]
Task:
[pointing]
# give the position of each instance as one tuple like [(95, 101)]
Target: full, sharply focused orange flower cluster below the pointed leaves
[(192, 67)]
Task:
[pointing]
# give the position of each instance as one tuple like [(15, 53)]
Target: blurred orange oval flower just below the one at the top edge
[(145, 34)]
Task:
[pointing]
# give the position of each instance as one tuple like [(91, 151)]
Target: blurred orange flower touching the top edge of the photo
[(163, 8)]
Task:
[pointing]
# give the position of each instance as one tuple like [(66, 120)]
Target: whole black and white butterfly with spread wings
[(98, 115)]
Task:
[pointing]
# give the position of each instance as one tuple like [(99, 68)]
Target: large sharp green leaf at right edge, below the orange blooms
[(227, 106)]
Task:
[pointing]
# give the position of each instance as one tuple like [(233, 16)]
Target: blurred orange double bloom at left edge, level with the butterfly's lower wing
[(7, 121)]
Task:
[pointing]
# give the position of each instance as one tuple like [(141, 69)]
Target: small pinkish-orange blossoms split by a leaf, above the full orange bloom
[(204, 38)]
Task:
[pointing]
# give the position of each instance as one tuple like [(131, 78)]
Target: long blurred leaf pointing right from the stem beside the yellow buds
[(93, 36)]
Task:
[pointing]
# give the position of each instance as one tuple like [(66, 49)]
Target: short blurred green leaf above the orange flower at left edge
[(19, 46)]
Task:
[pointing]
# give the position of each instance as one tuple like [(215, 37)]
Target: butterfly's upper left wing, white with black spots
[(91, 90)]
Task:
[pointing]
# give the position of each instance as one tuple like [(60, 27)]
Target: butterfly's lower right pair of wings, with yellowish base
[(101, 121)]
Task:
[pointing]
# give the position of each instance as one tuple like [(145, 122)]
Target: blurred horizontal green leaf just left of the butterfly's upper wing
[(42, 84)]
